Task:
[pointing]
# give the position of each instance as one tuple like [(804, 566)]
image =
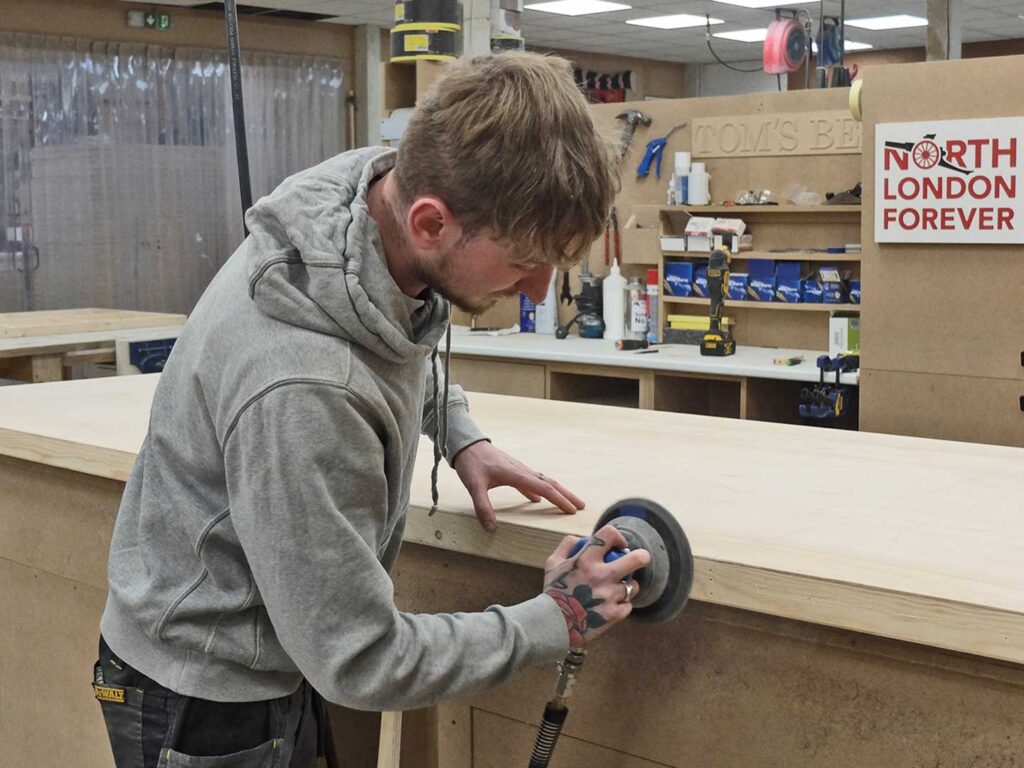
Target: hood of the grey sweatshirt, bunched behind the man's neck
[(316, 261)]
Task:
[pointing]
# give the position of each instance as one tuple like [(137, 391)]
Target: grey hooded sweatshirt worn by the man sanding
[(269, 500)]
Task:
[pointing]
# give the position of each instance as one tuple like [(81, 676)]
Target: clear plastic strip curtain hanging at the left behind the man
[(118, 185)]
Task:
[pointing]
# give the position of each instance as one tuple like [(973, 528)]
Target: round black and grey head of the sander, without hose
[(669, 579)]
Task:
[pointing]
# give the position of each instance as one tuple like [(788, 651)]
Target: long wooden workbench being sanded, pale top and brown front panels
[(860, 598)]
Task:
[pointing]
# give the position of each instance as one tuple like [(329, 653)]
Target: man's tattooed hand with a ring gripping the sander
[(591, 592)]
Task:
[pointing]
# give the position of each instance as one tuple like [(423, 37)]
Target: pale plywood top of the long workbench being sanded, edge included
[(904, 538)]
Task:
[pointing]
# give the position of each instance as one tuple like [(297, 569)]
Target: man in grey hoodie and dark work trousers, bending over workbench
[(249, 565)]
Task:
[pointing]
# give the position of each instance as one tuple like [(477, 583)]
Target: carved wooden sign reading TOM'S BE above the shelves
[(774, 136)]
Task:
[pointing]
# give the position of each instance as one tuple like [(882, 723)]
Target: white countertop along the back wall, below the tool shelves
[(753, 362)]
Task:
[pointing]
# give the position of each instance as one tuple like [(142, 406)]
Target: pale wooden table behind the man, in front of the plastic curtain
[(42, 347)]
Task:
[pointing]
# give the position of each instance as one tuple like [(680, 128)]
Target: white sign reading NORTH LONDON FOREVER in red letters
[(951, 182)]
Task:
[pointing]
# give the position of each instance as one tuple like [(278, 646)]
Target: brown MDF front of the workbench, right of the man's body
[(728, 689)]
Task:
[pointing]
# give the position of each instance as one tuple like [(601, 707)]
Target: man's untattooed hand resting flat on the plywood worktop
[(482, 467)]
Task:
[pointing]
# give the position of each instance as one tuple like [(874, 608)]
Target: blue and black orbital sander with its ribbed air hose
[(665, 587)]
